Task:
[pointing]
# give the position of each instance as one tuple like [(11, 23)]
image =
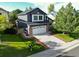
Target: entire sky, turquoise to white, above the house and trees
[(43, 5)]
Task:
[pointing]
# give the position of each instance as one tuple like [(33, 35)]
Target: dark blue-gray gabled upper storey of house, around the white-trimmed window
[(35, 11)]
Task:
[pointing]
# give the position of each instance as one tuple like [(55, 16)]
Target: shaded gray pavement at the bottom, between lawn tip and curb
[(47, 53)]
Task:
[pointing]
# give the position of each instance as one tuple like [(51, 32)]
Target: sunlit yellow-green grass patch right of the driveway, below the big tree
[(65, 37)]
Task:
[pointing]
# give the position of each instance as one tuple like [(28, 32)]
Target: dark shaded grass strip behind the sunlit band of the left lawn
[(13, 38)]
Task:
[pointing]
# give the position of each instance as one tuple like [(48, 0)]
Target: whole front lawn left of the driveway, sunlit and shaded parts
[(16, 46)]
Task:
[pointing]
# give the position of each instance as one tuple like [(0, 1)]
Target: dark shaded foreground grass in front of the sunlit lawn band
[(8, 51)]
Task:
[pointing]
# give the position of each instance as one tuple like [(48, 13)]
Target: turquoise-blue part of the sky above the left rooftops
[(15, 5)]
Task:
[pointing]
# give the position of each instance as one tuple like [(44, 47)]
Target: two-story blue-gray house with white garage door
[(33, 22)]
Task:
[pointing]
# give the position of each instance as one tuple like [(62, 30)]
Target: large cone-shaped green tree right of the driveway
[(65, 20)]
